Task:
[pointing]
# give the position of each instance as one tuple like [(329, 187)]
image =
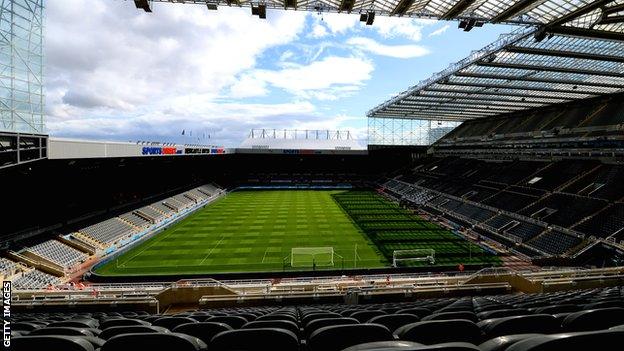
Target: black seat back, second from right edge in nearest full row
[(537, 323)]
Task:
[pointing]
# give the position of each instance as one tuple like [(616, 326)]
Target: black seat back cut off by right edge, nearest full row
[(594, 319)]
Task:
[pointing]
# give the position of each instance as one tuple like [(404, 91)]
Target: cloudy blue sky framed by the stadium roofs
[(116, 73)]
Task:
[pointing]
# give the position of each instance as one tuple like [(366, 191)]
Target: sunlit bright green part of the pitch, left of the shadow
[(250, 231)]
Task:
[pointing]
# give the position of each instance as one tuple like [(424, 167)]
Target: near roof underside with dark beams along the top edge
[(602, 17)]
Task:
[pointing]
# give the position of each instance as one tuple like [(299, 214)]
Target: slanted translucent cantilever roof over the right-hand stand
[(526, 69)]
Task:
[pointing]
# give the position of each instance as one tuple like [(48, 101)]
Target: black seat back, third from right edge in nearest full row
[(435, 332)]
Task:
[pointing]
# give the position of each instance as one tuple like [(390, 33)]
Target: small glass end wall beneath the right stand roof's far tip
[(398, 131)]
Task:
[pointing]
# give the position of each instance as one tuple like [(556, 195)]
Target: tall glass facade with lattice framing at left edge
[(21, 66)]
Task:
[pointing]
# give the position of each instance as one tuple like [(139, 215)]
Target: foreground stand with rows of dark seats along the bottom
[(482, 323)]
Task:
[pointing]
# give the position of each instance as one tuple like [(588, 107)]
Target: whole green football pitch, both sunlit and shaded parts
[(254, 231)]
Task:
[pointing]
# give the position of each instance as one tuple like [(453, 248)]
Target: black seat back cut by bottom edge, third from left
[(255, 339)]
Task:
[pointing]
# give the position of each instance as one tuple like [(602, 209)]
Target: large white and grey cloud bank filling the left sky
[(121, 59)]
